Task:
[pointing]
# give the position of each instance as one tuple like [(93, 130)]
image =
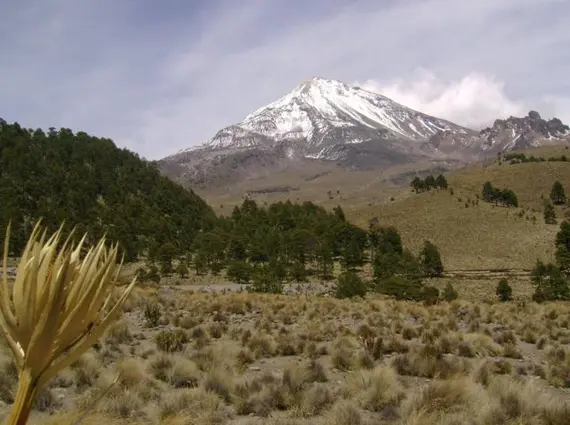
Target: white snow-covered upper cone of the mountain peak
[(315, 112)]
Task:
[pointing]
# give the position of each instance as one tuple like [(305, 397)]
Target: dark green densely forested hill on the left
[(92, 184)]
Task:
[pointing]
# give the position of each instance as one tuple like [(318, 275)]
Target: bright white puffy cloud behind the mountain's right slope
[(474, 100)]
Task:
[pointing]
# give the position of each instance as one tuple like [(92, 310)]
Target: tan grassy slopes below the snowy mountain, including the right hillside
[(477, 236)]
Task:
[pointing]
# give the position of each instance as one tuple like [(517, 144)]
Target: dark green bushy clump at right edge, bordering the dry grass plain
[(550, 283)]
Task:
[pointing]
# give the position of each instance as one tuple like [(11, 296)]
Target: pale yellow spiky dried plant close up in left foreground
[(58, 306)]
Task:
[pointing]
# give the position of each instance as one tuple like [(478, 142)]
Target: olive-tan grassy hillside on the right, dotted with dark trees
[(481, 235)]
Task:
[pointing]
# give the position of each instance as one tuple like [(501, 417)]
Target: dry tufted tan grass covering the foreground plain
[(451, 363)]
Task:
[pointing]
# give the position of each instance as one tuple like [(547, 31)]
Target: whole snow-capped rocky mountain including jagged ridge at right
[(327, 120)]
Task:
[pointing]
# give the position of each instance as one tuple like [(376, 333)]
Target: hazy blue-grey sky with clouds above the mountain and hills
[(158, 77)]
